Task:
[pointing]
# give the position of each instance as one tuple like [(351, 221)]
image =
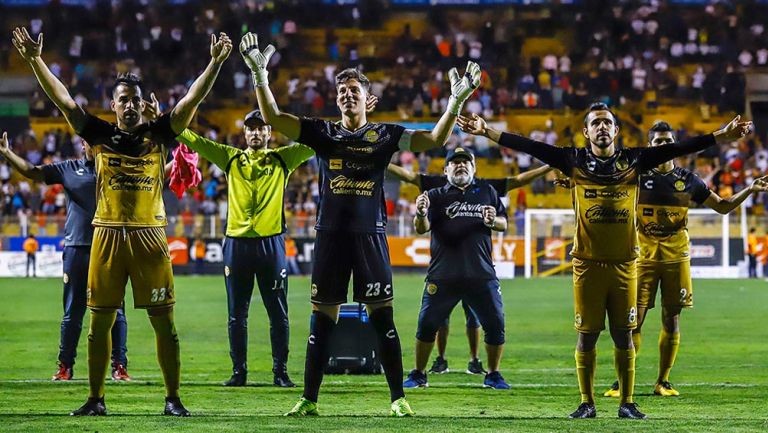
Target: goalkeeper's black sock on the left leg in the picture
[(318, 345)]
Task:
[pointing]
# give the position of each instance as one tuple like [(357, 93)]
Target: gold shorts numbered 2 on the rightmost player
[(675, 281)]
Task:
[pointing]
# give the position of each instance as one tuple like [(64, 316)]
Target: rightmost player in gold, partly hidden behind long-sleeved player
[(665, 192)]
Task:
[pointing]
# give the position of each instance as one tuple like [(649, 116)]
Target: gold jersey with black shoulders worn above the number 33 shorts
[(129, 172)]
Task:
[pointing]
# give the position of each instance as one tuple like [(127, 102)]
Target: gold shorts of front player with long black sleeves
[(600, 287)]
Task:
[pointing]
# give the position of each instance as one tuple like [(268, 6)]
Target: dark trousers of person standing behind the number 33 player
[(74, 301)]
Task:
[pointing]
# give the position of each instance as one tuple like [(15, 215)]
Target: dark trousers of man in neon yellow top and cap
[(264, 259)]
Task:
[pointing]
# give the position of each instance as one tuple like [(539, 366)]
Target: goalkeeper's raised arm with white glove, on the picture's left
[(257, 61)]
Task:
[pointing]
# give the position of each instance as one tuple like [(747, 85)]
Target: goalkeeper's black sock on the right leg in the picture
[(390, 353)]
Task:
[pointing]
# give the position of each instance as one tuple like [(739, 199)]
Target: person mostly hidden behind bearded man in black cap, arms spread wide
[(426, 182)]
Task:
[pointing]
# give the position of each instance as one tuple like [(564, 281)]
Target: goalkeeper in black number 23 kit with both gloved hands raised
[(351, 239)]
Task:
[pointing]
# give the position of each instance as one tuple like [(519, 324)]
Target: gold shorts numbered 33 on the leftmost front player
[(139, 254)]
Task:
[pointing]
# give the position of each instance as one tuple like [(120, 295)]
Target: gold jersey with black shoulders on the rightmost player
[(663, 214)]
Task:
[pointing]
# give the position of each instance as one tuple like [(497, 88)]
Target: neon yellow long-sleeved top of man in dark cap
[(256, 181)]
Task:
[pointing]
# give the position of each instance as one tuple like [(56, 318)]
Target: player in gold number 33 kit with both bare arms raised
[(129, 238)]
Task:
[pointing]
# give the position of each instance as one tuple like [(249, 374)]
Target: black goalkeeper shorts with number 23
[(338, 254)]
